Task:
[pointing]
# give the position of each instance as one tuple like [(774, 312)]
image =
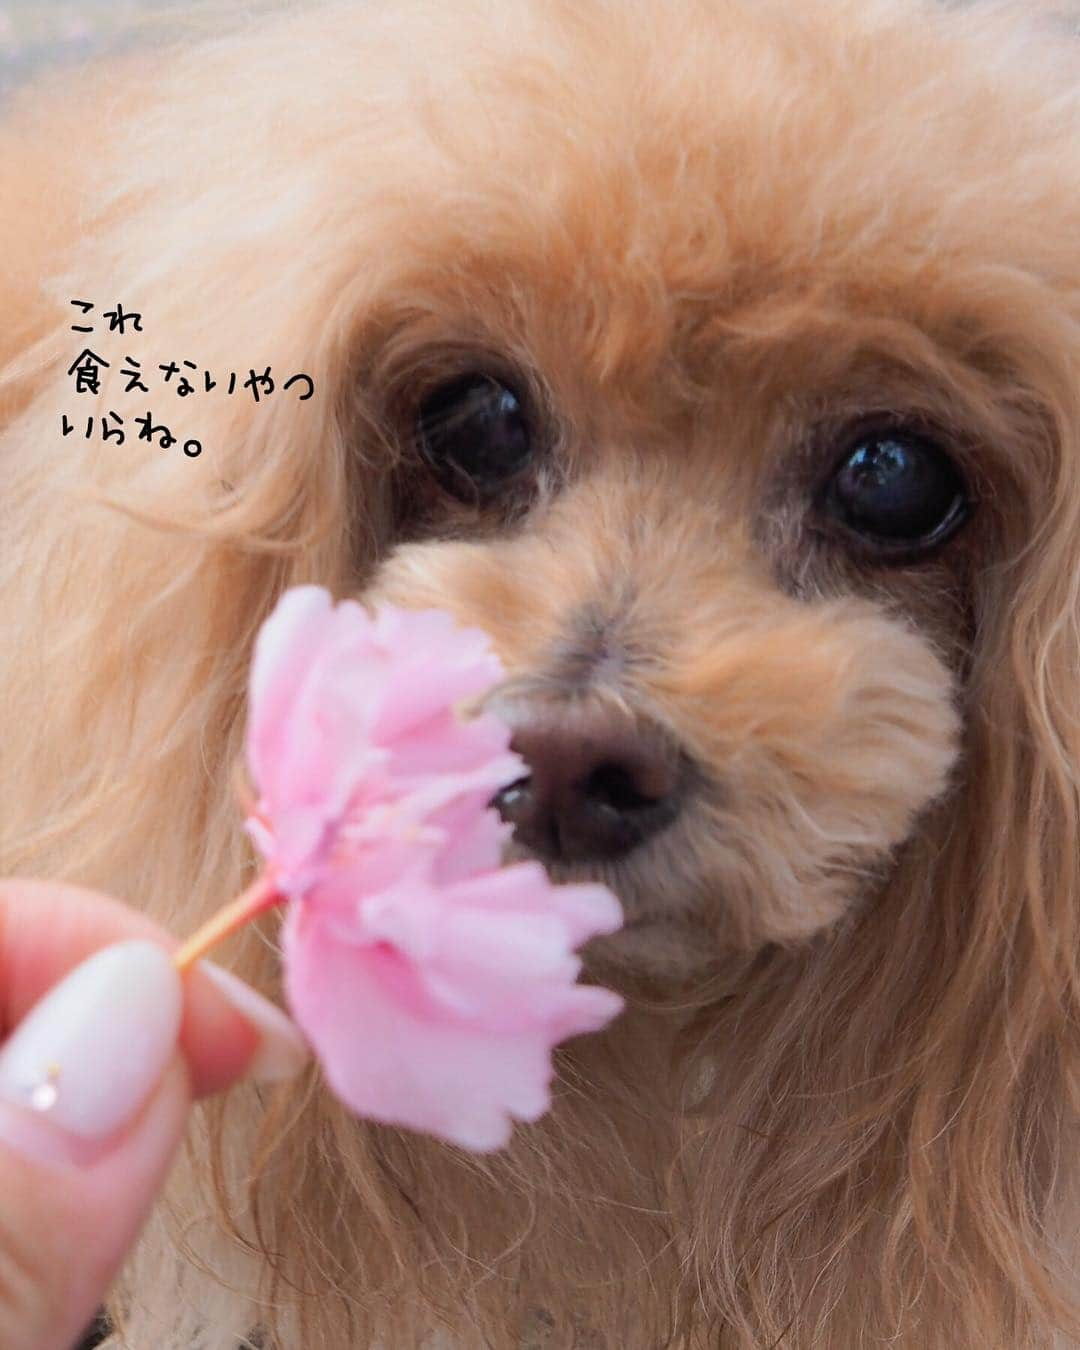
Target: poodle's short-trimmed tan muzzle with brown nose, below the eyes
[(736, 762)]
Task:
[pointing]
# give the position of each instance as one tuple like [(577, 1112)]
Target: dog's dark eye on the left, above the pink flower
[(476, 435)]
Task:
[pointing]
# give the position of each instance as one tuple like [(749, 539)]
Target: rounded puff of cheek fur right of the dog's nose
[(847, 740)]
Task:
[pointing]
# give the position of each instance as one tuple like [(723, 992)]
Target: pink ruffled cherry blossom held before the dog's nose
[(431, 982)]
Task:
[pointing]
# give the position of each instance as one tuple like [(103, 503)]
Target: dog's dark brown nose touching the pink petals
[(599, 785)]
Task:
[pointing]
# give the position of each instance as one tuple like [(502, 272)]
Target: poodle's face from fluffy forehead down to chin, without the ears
[(719, 457)]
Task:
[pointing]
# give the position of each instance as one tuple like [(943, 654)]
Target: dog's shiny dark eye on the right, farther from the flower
[(897, 491)]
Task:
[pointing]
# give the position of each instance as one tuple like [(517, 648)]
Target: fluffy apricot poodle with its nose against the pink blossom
[(722, 360)]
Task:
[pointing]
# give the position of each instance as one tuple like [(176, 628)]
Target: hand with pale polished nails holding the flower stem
[(105, 1050)]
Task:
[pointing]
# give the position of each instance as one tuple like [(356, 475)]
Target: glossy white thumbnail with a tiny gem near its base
[(91, 1052)]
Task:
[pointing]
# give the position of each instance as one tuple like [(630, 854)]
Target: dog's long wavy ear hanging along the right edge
[(1006, 1031)]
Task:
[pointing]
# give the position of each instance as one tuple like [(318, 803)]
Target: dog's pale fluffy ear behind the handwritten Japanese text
[(134, 576)]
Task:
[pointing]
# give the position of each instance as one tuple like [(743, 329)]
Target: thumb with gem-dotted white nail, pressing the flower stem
[(94, 1104)]
